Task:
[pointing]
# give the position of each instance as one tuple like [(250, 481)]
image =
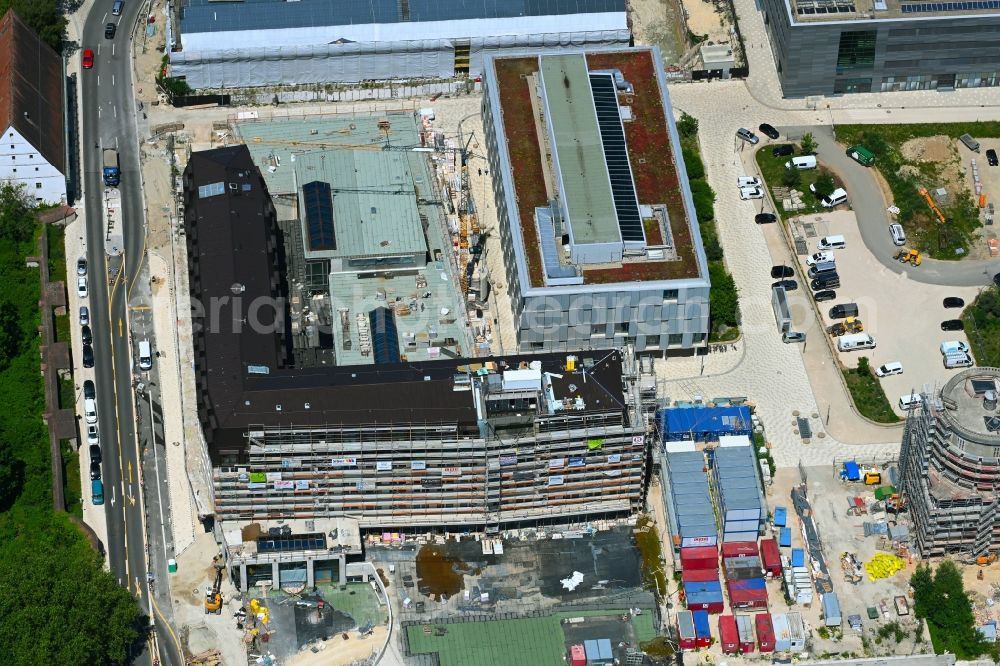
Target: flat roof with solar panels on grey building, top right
[(821, 11)]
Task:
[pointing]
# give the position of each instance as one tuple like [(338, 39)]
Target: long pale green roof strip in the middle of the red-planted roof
[(583, 172)]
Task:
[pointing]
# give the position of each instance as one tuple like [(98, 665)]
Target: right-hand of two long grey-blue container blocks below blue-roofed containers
[(737, 487)]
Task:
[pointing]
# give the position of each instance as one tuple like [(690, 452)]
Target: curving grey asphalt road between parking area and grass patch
[(873, 220)]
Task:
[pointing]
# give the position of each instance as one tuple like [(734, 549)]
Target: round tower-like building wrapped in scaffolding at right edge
[(950, 466)]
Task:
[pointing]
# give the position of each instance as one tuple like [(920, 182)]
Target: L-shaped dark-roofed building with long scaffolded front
[(475, 443)]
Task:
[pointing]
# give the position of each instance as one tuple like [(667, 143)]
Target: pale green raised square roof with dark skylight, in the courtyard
[(374, 202)]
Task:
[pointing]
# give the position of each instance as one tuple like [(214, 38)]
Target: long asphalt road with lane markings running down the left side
[(109, 121)]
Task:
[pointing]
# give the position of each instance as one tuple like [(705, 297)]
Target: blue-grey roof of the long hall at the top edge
[(213, 16)]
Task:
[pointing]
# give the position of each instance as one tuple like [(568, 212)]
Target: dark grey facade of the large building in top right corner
[(929, 52)]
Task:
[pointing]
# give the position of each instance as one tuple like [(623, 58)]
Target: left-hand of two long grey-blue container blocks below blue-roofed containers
[(689, 507)]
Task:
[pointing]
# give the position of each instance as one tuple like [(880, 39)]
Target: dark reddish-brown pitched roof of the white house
[(31, 89)]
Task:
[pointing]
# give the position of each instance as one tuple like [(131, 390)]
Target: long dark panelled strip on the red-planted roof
[(616, 155)]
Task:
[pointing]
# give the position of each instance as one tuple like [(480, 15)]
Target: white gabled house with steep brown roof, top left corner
[(33, 146)]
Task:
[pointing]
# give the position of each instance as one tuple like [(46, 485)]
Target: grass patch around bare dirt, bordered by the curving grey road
[(906, 177)]
